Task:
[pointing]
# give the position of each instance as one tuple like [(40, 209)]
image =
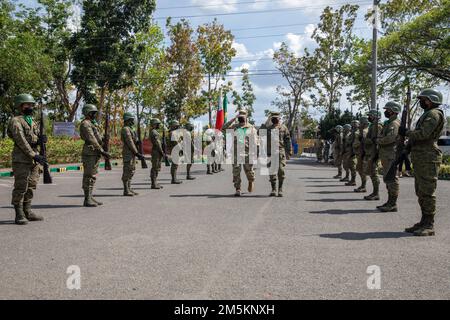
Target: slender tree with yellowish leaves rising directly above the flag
[(216, 50)]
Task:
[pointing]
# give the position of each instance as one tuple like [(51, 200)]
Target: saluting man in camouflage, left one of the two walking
[(244, 131)]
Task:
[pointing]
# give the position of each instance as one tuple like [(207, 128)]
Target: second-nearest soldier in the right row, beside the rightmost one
[(387, 141)]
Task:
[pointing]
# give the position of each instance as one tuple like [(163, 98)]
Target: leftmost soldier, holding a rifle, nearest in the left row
[(25, 158)]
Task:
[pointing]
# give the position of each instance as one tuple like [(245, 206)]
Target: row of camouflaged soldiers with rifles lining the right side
[(360, 147)]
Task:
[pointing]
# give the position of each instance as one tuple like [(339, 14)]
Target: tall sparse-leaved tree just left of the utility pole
[(334, 37)]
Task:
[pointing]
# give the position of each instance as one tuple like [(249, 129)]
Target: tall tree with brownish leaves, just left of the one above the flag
[(185, 70)]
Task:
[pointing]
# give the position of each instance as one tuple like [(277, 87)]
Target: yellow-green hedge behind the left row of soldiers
[(60, 150)]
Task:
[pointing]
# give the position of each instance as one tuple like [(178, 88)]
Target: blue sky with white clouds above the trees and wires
[(259, 27)]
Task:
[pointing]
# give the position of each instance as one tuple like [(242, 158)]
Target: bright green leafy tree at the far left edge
[(25, 65)]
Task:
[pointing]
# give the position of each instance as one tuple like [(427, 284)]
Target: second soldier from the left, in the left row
[(92, 151)]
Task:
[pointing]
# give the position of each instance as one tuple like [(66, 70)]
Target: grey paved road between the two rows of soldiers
[(196, 241)]
